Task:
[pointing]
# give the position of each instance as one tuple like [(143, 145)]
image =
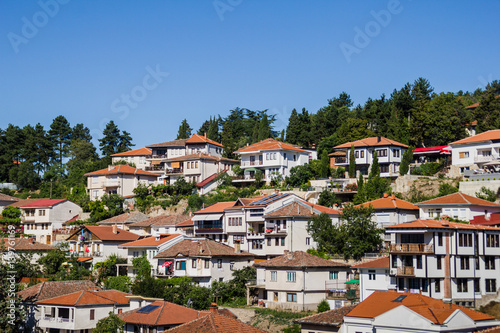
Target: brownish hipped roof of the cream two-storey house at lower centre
[(300, 259)]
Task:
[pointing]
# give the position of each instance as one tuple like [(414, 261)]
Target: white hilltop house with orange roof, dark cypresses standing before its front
[(389, 154)]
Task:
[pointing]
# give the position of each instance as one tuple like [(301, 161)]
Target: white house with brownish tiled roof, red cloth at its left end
[(202, 259)]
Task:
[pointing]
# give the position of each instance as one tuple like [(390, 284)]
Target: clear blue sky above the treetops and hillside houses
[(149, 64)]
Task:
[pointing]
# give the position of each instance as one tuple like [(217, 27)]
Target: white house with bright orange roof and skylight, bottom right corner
[(393, 312)]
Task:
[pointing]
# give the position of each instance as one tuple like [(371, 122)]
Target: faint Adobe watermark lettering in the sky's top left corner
[(30, 28)]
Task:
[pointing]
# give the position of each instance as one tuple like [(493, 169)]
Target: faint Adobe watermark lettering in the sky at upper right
[(372, 29)]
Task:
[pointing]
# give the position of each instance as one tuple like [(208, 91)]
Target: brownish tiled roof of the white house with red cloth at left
[(201, 248)]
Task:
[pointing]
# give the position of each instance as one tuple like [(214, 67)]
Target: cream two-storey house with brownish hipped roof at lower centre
[(298, 280)]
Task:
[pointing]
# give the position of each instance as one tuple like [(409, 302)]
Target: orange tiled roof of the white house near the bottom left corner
[(89, 297)]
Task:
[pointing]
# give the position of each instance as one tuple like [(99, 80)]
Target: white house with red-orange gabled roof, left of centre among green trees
[(99, 242)]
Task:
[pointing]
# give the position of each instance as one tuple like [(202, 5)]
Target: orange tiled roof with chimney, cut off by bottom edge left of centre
[(215, 323)]
